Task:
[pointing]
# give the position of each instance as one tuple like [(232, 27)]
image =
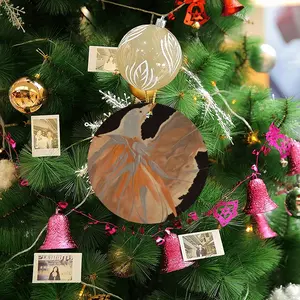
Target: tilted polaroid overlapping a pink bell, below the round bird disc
[(201, 245)]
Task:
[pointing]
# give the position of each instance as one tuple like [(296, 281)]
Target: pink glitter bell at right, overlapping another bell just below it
[(258, 198)]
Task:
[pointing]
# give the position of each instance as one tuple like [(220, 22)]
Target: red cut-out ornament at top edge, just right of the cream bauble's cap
[(195, 12)]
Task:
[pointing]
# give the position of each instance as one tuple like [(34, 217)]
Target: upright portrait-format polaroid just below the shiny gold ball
[(45, 135)]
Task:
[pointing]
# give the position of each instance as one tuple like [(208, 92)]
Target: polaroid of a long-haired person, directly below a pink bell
[(57, 267)]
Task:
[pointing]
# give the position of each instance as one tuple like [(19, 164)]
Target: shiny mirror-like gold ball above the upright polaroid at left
[(27, 95)]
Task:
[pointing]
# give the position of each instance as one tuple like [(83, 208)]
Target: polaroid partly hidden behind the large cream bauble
[(102, 59)]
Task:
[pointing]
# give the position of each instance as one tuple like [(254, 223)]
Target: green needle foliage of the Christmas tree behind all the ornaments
[(127, 263)]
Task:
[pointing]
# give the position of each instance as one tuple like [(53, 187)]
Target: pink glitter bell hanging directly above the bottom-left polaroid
[(58, 233)]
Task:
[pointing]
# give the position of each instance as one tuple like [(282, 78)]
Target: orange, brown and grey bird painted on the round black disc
[(142, 180)]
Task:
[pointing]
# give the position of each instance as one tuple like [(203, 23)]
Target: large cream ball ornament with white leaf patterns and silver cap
[(149, 56)]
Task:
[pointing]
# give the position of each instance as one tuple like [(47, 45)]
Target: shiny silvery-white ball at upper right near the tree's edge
[(267, 59)]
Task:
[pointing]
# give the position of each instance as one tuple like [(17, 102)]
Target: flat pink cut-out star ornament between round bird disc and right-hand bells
[(225, 211)]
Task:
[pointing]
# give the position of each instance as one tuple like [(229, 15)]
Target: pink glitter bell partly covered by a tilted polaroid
[(173, 260)]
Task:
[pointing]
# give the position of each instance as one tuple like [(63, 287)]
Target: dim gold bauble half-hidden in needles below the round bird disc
[(121, 263)]
